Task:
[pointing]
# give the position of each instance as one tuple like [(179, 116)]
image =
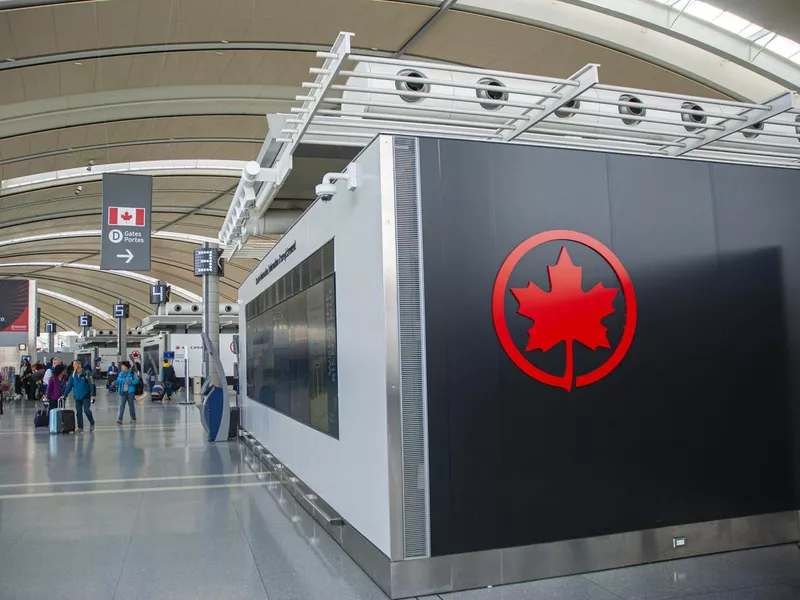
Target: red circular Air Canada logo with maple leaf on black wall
[(564, 315)]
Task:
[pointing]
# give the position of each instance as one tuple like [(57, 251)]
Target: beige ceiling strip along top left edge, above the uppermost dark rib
[(91, 25)]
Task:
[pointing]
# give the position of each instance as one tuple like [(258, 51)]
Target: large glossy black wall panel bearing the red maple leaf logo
[(608, 343)]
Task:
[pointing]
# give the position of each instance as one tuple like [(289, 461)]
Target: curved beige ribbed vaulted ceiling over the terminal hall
[(140, 90)]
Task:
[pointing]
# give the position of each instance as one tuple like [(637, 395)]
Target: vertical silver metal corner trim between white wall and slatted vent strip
[(391, 310)]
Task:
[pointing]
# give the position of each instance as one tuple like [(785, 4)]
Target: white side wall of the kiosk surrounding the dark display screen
[(350, 473)]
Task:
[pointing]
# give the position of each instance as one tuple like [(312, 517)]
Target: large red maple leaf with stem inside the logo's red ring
[(566, 313)]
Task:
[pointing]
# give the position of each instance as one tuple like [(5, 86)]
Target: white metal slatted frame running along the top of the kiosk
[(333, 113)]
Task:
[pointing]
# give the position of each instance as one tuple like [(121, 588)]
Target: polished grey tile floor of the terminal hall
[(152, 511)]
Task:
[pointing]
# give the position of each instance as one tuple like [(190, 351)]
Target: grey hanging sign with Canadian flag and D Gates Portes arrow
[(127, 204)]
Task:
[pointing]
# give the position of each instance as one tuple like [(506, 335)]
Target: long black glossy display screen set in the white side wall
[(291, 357)]
